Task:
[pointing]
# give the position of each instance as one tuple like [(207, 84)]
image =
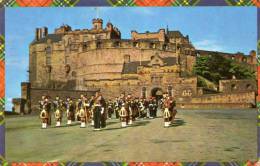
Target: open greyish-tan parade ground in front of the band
[(196, 136)]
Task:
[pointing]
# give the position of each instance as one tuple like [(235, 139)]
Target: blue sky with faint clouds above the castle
[(211, 28)]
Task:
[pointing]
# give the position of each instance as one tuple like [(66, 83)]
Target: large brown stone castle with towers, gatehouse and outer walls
[(71, 62)]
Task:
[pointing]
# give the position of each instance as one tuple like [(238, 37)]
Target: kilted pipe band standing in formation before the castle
[(95, 110)]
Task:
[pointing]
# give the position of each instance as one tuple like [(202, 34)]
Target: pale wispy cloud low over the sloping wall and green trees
[(210, 45)]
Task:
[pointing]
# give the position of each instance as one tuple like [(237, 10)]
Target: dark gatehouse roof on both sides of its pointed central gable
[(131, 67)]
